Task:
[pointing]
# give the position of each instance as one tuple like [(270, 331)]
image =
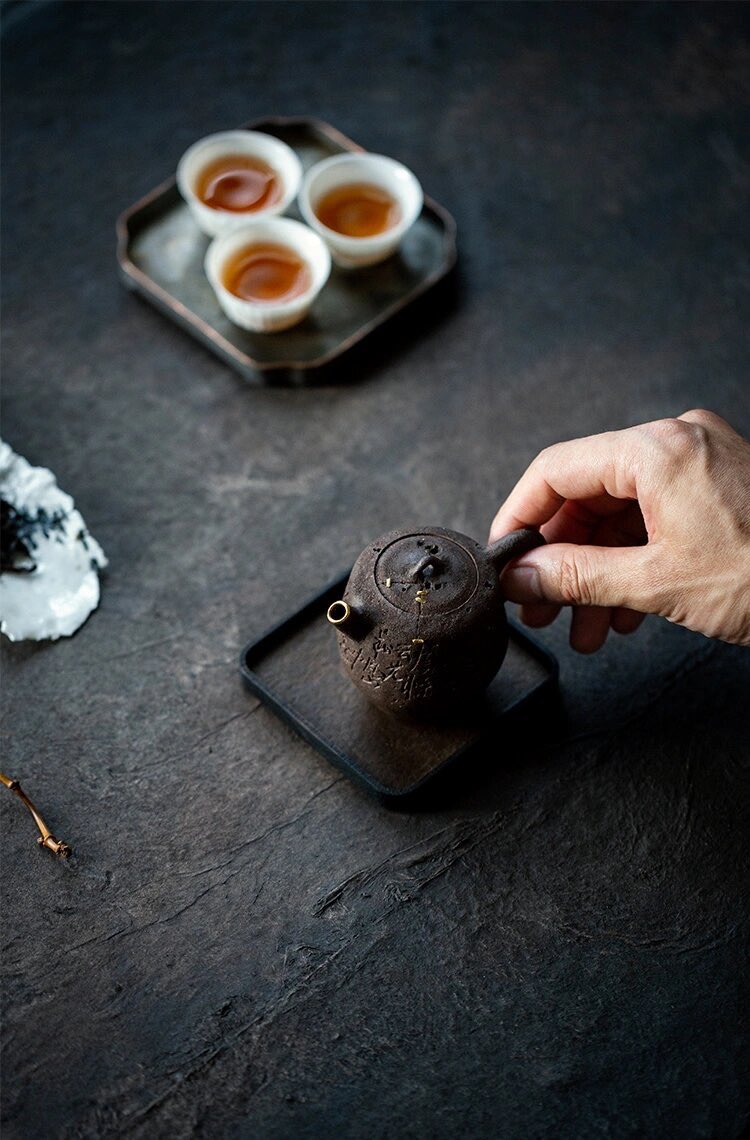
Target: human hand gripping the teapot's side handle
[(654, 519)]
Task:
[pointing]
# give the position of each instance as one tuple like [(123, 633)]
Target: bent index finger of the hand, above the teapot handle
[(578, 469)]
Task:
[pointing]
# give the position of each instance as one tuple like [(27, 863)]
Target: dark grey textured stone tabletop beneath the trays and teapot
[(244, 944)]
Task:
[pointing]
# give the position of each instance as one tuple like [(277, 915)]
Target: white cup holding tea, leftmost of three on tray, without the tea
[(251, 145)]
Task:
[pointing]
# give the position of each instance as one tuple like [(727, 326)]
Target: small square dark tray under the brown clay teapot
[(295, 669)]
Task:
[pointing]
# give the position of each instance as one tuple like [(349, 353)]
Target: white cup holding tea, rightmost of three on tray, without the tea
[(385, 174)]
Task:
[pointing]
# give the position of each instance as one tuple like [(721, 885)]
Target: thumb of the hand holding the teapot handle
[(568, 575)]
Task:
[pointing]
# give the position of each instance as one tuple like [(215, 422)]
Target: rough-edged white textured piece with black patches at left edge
[(61, 592)]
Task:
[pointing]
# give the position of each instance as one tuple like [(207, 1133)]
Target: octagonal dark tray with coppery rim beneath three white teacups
[(161, 251)]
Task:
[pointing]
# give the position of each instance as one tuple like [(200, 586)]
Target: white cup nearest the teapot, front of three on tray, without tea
[(268, 316)]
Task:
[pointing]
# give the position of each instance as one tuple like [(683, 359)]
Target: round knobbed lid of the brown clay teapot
[(427, 569)]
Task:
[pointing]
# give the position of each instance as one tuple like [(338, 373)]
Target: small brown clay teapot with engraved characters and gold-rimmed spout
[(422, 628)]
